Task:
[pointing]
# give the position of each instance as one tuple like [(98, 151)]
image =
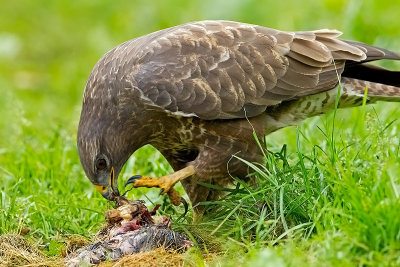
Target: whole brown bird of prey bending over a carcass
[(197, 91)]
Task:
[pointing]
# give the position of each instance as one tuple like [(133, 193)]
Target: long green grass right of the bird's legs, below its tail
[(325, 204)]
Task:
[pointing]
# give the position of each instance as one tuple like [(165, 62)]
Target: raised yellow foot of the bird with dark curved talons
[(165, 183)]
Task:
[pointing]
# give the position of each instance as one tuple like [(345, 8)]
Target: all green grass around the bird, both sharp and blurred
[(329, 197)]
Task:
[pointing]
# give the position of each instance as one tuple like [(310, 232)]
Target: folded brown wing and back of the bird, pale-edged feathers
[(223, 70)]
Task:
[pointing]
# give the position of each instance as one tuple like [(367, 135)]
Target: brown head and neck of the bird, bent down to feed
[(113, 123)]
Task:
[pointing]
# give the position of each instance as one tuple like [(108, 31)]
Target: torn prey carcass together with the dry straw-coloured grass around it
[(131, 235)]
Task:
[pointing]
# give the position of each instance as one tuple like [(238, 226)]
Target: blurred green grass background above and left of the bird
[(47, 50)]
